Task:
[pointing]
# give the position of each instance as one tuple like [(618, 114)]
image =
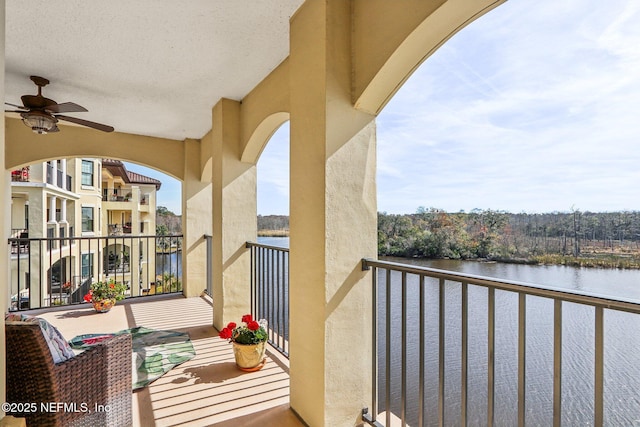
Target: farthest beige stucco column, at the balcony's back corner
[(196, 221)]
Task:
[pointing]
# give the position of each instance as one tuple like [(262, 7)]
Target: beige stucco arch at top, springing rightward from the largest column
[(405, 36)]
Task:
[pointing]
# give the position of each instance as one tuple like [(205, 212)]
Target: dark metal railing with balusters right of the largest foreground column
[(387, 380)]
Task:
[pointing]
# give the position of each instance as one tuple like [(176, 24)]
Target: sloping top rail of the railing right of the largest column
[(595, 300)]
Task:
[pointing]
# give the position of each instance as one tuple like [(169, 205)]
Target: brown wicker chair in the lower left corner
[(99, 378)]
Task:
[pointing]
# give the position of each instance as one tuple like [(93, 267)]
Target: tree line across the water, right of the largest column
[(433, 233)]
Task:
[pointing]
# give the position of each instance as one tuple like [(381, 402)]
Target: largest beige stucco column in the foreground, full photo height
[(332, 222)]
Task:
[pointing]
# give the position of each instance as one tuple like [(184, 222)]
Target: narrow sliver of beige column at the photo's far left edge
[(5, 221)]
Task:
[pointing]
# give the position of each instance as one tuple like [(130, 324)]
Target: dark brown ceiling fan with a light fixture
[(41, 114)]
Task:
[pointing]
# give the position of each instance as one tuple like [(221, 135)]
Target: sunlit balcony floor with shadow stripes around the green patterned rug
[(207, 390)]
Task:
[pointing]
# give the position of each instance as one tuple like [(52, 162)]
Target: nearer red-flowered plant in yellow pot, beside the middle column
[(248, 341)]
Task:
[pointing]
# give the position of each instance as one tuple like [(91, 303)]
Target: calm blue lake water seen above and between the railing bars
[(622, 346)]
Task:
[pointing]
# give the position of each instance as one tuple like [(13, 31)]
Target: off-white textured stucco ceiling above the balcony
[(148, 67)]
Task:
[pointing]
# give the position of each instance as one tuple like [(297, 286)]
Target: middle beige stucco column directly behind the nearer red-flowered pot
[(234, 216)]
